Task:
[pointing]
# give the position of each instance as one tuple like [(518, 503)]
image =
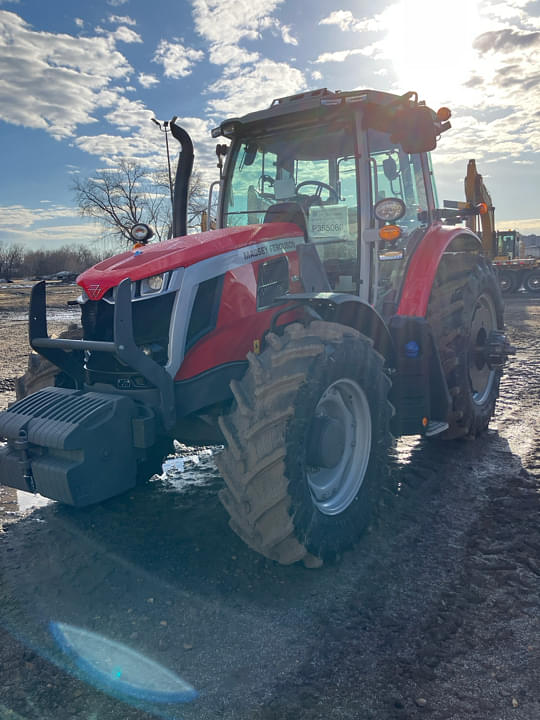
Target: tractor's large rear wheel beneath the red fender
[(464, 309)]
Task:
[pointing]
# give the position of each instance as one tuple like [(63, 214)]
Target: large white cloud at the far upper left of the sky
[(55, 81)]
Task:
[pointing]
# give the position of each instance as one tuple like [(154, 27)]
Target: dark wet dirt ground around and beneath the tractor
[(435, 614)]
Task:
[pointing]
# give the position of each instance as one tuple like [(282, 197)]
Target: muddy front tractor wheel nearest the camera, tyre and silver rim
[(307, 443)]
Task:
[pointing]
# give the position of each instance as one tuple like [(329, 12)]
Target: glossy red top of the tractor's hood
[(178, 252)]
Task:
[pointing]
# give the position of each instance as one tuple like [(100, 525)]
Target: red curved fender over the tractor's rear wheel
[(425, 262)]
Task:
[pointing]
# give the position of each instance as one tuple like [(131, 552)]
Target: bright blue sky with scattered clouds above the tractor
[(80, 82)]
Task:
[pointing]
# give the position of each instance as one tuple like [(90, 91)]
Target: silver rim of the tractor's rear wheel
[(481, 376)]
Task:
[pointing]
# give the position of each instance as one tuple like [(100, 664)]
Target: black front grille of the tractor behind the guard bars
[(151, 322)]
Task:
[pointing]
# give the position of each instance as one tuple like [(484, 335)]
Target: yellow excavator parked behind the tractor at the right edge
[(504, 248)]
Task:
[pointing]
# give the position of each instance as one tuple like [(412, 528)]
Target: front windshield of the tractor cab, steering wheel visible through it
[(306, 176)]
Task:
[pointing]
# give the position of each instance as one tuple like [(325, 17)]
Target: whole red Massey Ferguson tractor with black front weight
[(330, 310)]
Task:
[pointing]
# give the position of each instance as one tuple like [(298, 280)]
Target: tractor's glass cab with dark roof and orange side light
[(352, 170)]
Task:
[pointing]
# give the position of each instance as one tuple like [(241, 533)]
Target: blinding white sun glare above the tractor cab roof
[(430, 45)]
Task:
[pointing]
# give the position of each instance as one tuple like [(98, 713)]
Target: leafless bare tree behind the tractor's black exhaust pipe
[(121, 197)]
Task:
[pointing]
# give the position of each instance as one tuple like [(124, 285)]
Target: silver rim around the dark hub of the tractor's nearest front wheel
[(333, 489)]
